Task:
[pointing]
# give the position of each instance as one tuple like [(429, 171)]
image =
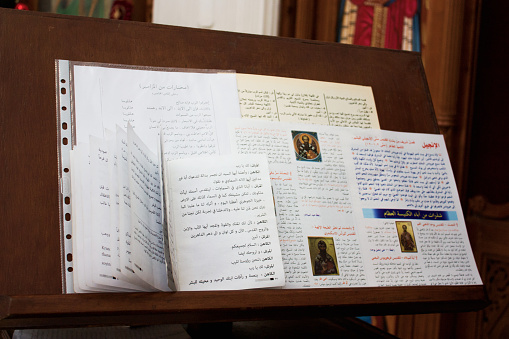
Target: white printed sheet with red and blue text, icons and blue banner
[(359, 207)]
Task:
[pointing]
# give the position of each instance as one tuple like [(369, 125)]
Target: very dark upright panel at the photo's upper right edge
[(488, 171)]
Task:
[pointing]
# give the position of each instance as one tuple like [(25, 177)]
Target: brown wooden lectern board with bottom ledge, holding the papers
[(30, 251)]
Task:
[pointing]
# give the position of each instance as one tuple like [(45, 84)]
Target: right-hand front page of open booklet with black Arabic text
[(224, 223)]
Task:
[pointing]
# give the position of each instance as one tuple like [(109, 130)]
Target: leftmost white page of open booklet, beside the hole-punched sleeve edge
[(94, 271)]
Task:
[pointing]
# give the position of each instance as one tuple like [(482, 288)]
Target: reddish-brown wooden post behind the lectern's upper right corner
[(449, 49)]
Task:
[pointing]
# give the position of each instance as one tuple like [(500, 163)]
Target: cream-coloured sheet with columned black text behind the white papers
[(306, 101)]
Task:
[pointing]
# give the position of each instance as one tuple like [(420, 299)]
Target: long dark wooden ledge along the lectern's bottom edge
[(187, 307)]
